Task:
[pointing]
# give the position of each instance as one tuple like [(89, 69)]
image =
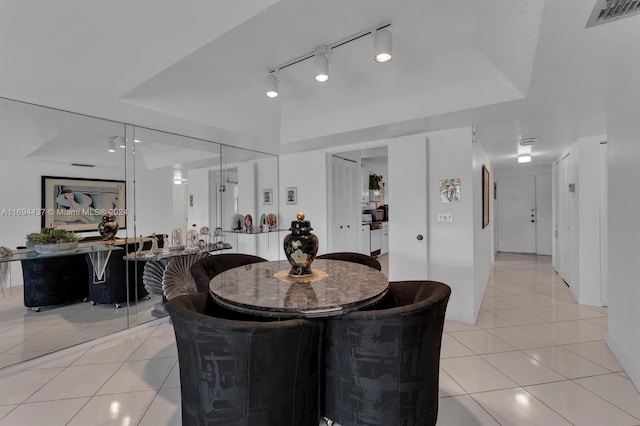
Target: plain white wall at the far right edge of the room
[(624, 233)]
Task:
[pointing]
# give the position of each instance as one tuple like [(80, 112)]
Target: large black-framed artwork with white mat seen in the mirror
[(79, 204)]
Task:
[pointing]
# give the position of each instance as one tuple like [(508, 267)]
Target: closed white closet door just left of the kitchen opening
[(345, 214)]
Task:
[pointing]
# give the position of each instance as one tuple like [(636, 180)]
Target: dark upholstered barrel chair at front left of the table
[(238, 369)]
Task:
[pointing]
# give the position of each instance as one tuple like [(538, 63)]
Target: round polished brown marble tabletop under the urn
[(265, 288)]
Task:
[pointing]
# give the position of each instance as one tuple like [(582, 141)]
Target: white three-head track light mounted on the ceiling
[(321, 55)]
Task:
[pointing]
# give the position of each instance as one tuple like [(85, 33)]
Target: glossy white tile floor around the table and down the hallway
[(534, 358)]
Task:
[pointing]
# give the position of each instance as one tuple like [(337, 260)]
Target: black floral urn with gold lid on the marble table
[(300, 247)]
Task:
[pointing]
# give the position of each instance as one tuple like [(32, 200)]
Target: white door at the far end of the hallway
[(516, 204)]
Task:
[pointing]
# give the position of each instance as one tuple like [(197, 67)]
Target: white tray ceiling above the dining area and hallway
[(512, 68)]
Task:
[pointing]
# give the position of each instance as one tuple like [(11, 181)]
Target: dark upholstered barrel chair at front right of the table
[(382, 364)]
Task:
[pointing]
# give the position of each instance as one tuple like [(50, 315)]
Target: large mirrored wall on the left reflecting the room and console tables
[(180, 193)]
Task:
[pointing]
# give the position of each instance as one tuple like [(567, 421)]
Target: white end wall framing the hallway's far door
[(544, 220)]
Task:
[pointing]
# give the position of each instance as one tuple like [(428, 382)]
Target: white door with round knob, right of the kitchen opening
[(408, 243)]
